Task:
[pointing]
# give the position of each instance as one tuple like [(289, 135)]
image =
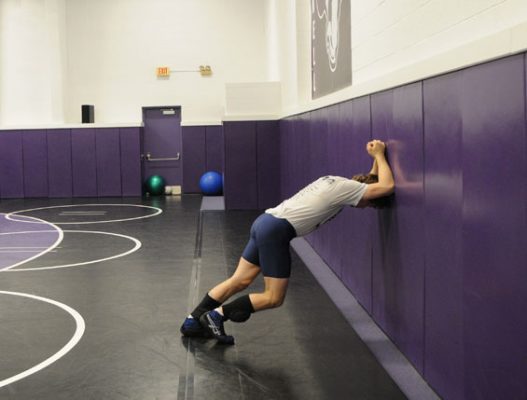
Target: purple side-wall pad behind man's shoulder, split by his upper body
[(357, 223)]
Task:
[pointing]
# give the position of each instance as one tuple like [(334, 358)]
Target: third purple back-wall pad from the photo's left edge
[(60, 179)]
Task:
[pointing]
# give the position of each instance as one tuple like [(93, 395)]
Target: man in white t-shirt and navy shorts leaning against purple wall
[(267, 251)]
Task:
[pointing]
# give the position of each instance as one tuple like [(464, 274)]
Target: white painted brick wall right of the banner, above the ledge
[(393, 34)]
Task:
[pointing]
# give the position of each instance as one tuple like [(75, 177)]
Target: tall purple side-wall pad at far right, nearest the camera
[(494, 230)]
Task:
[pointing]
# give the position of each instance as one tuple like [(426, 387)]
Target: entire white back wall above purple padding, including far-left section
[(56, 55)]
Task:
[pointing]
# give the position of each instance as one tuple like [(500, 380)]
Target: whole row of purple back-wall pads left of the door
[(95, 162)]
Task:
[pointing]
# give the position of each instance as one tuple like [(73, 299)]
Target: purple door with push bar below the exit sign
[(162, 143)]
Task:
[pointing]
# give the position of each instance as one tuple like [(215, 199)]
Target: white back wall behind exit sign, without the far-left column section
[(115, 46)]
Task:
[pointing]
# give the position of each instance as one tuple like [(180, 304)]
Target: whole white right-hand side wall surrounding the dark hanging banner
[(399, 41)]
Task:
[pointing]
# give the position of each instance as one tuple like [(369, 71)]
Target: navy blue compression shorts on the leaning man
[(268, 246)]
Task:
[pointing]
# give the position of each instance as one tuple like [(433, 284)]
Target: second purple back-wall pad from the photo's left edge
[(35, 146)]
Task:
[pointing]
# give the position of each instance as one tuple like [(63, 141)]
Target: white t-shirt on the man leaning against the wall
[(318, 202)]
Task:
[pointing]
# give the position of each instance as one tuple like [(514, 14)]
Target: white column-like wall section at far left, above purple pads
[(32, 61)]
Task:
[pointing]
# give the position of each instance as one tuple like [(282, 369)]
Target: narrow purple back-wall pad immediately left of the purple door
[(130, 145)]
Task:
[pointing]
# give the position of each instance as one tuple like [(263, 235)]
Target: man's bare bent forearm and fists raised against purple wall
[(386, 185)]
